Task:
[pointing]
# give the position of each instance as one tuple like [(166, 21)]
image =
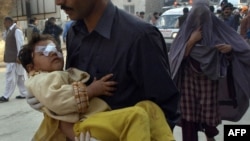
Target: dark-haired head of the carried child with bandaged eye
[(41, 54)]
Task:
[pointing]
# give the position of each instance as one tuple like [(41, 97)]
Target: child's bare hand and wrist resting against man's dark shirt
[(102, 86)]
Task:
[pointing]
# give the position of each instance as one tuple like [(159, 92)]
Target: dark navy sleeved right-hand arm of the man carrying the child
[(154, 74)]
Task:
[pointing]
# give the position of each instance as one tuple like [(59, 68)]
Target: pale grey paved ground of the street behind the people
[(19, 122)]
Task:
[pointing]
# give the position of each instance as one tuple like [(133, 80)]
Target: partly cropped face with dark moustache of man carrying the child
[(77, 9)]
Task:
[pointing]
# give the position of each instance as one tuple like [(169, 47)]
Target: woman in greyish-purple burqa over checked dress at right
[(205, 52)]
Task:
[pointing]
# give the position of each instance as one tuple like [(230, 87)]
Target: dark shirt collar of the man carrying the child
[(104, 25)]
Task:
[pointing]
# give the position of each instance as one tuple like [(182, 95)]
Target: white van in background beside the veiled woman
[(166, 24)]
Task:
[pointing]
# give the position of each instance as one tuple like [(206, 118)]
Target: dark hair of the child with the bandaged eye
[(25, 55)]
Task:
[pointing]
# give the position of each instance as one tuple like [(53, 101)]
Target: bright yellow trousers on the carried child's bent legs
[(143, 122)]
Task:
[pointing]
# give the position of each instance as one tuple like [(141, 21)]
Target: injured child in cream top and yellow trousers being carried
[(71, 107)]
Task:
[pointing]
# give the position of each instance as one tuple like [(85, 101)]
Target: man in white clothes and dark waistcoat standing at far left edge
[(15, 74)]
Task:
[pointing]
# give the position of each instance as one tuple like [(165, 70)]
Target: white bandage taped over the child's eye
[(46, 50)]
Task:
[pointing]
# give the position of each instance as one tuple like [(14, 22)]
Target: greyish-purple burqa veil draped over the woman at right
[(214, 32)]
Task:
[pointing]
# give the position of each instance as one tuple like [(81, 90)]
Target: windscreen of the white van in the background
[(167, 21)]
